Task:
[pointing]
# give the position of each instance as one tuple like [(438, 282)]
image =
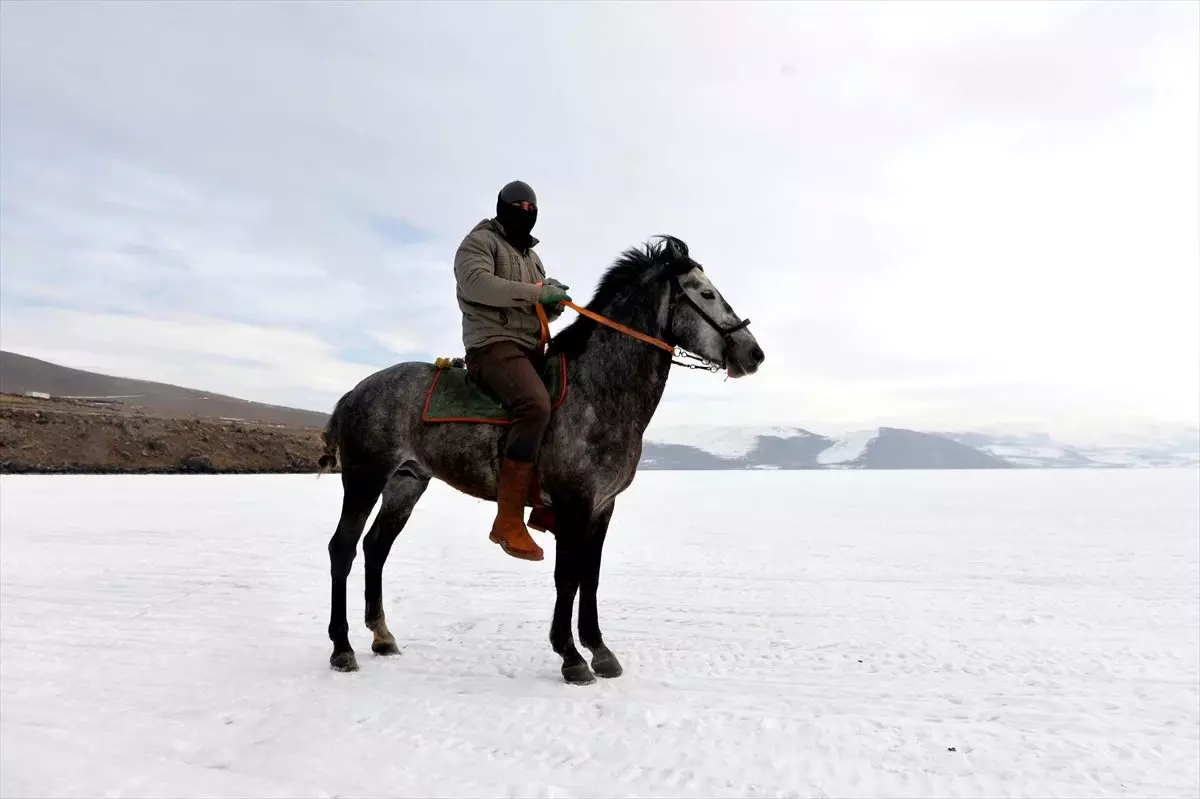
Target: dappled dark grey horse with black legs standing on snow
[(653, 295)]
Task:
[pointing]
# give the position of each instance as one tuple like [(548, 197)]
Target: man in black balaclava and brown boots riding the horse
[(499, 277)]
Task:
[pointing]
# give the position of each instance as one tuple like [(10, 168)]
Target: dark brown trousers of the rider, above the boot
[(514, 375)]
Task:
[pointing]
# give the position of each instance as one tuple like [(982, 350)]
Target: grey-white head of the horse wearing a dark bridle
[(699, 319)]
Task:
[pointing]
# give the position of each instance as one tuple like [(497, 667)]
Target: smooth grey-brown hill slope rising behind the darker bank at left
[(21, 374)]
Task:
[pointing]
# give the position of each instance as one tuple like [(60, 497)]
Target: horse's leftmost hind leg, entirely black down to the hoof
[(361, 490)]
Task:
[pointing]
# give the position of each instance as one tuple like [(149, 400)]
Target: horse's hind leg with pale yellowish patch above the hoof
[(401, 495)]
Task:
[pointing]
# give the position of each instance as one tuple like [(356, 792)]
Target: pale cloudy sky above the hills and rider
[(937, 214)]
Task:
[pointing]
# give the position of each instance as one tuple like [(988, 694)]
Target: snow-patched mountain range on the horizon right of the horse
[(707, 448)]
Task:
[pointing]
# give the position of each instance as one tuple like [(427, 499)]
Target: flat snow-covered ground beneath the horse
[(813, 634)]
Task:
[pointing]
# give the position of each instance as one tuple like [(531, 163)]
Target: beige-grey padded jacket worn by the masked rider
[(497, 290)]
